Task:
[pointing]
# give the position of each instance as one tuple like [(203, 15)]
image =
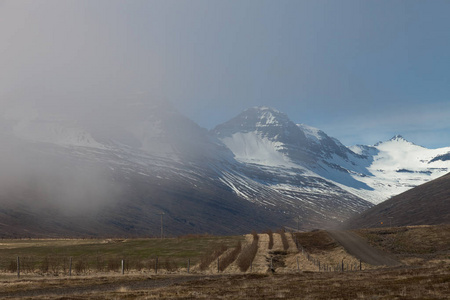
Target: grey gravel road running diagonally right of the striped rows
[(358, 247)]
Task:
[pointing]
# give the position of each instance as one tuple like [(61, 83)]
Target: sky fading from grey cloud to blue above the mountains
[(362, 71)]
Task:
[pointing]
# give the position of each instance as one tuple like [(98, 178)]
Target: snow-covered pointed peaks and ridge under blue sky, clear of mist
[(266, 137)]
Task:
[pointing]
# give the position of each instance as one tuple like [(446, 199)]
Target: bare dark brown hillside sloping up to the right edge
[(427, 204)]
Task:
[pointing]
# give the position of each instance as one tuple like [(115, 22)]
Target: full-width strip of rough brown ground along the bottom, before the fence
[(399, 283)]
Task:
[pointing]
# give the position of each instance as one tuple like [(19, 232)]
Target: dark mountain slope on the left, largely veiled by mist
[(117, 181)]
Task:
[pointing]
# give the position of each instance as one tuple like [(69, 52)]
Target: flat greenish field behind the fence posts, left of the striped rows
[(99, 255)]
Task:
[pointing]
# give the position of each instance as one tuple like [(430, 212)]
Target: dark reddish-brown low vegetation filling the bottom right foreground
[(374, 284)]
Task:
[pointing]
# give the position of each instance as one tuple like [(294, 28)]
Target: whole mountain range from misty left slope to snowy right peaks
[(112, 170)]
